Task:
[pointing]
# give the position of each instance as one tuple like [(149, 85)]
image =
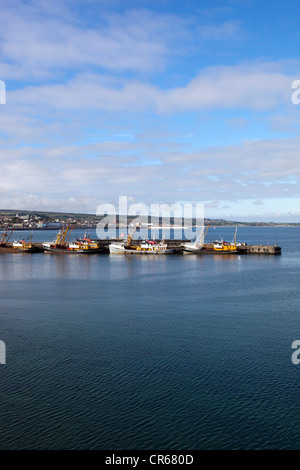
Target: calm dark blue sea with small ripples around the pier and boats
[(163, 352)]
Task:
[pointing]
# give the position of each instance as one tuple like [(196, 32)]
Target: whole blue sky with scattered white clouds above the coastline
[(162, 101)]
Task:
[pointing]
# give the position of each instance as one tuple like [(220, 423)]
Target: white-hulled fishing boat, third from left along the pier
[(147, 247)]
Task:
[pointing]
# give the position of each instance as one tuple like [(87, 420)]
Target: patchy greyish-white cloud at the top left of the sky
[(37, 45)]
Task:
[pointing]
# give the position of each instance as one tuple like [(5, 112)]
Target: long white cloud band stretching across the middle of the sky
[(253, 86)]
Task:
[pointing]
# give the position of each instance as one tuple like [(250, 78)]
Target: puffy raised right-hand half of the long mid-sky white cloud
[(259, 86)]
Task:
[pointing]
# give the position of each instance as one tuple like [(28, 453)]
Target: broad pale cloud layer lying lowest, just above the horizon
[(252, 170)]
